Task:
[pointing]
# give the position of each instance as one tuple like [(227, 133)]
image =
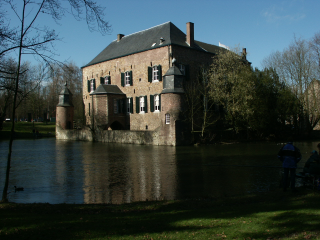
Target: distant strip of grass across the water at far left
[(24, 130)]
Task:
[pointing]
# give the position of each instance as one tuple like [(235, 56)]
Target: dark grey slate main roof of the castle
[(147, 40)]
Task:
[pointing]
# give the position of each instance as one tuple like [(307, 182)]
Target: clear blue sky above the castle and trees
[(262, 27)]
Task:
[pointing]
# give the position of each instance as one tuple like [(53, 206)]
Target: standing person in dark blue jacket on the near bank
[(289, 155)]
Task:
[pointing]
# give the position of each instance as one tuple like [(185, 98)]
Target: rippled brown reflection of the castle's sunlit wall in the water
[(130, 175)]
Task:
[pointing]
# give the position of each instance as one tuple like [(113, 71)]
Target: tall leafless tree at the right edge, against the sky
[(296, 67)]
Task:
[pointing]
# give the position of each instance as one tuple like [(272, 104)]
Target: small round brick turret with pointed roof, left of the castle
[(64, 110)]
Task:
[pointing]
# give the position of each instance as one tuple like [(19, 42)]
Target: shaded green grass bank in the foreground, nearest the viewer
[(275, 215)]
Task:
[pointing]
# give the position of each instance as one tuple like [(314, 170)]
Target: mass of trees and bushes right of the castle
[(279, 101)]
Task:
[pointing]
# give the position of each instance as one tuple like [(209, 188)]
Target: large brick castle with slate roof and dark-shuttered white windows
[(133, 90)]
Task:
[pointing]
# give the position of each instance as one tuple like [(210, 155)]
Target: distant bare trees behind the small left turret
[(39, 89)]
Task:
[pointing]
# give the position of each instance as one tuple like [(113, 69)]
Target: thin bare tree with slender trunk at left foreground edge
[(31, 38)]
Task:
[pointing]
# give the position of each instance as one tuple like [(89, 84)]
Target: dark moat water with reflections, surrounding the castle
[(55, 171)]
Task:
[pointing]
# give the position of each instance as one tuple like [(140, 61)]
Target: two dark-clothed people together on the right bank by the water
[(290, 155)]
